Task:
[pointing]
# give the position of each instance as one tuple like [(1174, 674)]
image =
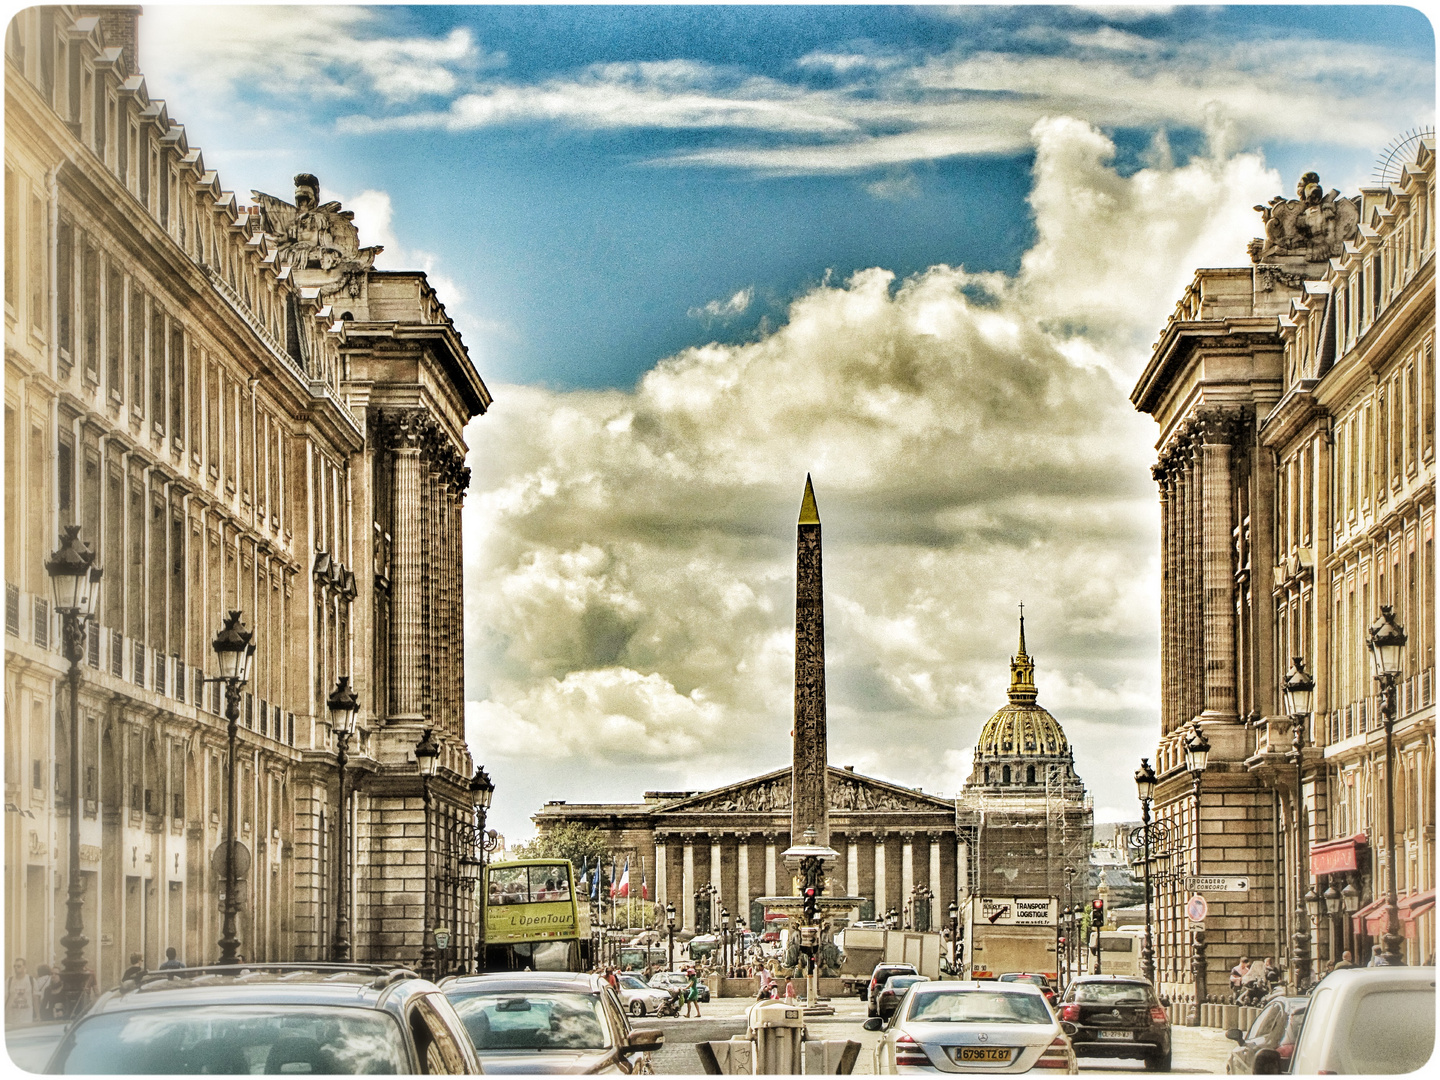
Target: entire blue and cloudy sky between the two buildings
[(701, 253)]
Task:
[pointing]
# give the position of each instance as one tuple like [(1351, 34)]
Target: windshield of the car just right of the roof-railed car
[(526, 1020)]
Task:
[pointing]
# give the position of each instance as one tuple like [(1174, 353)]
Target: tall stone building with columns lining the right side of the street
[(1269, 385)]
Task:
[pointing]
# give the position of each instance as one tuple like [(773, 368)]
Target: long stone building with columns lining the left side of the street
[(240, 413)]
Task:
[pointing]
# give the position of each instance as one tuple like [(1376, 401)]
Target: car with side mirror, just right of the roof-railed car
[(549, 1023)]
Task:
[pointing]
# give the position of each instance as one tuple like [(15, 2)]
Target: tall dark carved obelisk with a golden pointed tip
[(809, 796)]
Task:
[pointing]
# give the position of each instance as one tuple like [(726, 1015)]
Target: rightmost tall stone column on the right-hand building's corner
[(1220, 433)]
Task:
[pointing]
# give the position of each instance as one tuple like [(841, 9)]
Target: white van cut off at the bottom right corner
[(1364, 1020)]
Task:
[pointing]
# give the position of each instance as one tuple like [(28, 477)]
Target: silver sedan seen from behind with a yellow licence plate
[(973, 1027)]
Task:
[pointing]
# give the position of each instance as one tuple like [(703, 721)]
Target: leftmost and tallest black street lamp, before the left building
[(76, 584)]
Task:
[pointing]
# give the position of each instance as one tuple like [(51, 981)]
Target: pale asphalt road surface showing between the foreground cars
[(1197, 1050)]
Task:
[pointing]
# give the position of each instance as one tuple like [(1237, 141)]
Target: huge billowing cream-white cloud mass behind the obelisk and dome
[(630, 555)]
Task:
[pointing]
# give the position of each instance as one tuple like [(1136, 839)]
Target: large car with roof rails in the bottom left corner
[(270, 1019)]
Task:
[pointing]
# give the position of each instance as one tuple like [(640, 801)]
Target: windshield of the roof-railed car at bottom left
[(237, 1039)]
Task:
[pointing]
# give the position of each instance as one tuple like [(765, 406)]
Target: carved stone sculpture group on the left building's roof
[(318, 237)]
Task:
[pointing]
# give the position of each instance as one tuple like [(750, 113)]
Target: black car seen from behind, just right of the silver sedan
[(1118, 1016)]
